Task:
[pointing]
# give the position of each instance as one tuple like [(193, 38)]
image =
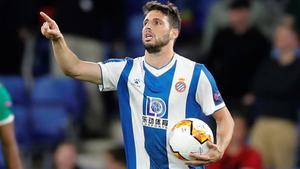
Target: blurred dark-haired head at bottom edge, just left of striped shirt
[(115, 158)]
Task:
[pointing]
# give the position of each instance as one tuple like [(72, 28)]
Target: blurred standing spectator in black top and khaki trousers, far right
[(276, 92)]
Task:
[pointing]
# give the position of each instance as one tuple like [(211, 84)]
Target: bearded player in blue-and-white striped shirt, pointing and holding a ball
[(155, 91)]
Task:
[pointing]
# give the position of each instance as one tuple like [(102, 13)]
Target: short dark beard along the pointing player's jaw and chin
[(158, 44)]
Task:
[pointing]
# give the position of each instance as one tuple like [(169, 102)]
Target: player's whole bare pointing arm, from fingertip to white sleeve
[(69, 63)]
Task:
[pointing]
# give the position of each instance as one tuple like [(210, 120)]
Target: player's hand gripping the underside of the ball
[(214, 154)]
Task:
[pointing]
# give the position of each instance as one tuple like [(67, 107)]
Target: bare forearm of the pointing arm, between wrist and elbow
[(65, 58)]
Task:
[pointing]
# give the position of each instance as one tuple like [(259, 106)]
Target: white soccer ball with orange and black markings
[(190, 135)]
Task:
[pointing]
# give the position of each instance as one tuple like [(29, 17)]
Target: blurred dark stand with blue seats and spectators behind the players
[(251, 47)]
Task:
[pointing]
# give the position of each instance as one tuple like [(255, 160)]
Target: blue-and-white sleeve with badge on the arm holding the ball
[(208, 96)]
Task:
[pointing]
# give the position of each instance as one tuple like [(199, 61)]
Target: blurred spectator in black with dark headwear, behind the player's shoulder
[(236, 52)]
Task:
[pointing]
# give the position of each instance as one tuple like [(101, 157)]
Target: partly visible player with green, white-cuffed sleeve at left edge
[(9, 144)]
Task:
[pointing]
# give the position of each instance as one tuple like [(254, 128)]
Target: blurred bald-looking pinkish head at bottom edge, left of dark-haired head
[(65, 157)]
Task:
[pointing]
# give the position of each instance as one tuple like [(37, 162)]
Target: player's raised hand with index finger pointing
[(50, 29)]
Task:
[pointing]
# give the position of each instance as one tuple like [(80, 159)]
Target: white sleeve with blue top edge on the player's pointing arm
[(111, 72)]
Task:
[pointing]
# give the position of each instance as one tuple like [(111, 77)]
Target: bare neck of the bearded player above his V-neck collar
[(161, 58)]
